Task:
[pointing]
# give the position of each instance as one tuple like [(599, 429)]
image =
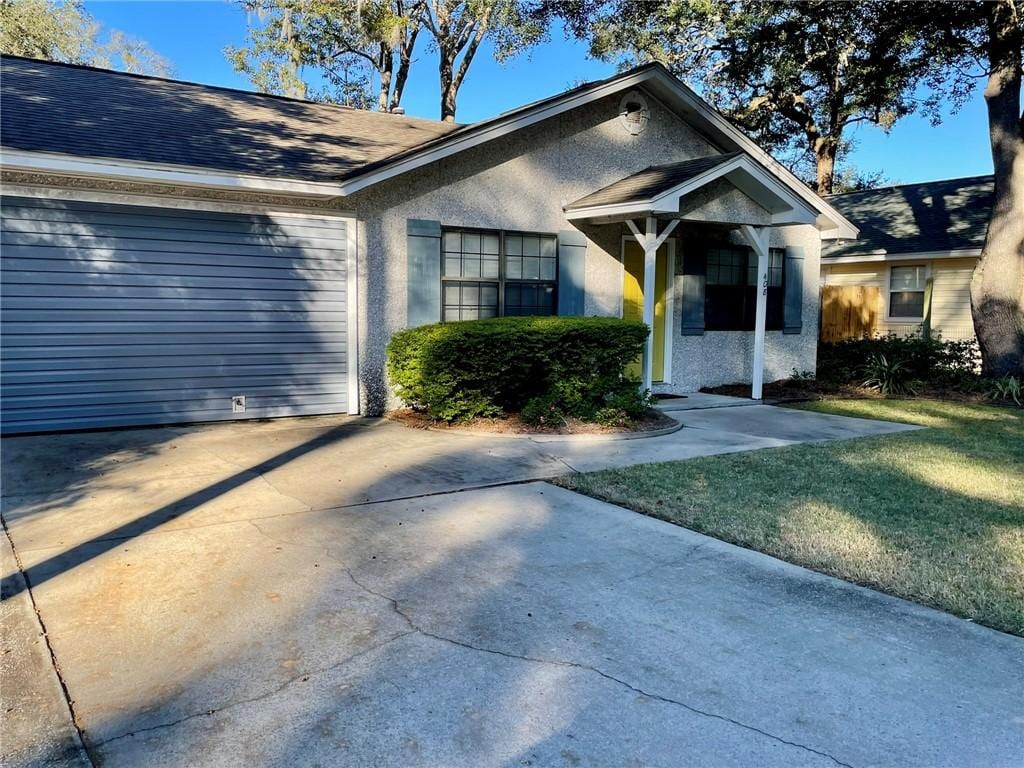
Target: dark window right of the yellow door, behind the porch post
[(732, 289)]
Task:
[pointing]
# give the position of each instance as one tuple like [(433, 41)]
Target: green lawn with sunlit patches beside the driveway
[(935, 517)]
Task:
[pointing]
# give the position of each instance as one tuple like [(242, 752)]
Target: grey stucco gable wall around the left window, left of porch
[(520, 183)]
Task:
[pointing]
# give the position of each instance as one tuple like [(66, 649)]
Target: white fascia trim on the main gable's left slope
[(498, 130)]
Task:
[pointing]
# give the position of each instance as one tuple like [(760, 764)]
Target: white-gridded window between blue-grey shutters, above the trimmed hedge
[(492, 274)]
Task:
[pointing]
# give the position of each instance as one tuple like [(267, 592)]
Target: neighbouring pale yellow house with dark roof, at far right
[(910, 272)]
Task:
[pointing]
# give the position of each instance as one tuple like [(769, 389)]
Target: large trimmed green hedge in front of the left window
[(546, 369)]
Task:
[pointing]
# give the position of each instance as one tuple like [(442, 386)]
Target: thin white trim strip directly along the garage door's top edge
[(160, 201)]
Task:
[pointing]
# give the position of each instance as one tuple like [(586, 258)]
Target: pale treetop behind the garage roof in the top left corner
[(65, 32)]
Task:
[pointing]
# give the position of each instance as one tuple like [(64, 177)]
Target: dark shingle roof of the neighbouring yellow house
[(913, 219)]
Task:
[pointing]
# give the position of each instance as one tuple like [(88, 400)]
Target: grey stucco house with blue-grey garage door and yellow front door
[(176, 252)]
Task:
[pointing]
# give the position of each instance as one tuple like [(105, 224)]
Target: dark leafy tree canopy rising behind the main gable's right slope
[(798, 76)]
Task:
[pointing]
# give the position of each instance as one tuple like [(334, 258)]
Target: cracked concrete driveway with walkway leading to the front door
[(322, 592)]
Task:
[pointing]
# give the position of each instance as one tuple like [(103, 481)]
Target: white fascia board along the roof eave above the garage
[(37, 162)]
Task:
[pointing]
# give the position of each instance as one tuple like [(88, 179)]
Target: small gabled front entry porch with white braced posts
[(729, 200)]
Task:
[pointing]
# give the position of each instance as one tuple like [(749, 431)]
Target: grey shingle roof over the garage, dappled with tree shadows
[(82, 111)]
